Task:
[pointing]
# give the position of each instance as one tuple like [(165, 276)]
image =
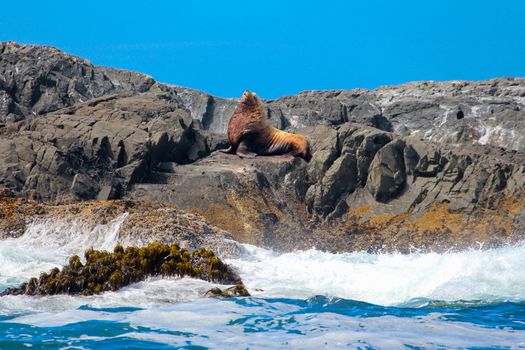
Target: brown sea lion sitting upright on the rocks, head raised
[(250, 134)]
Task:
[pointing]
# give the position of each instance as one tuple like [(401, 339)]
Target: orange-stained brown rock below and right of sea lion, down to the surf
[(362, 187)]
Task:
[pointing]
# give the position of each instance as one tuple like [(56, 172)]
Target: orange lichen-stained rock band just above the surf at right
[(435, 229)]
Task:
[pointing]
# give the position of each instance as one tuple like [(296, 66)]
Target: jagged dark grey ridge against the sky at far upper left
[(38, 79)]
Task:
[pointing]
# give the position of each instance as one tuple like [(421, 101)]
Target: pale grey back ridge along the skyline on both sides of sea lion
[(39, 79)]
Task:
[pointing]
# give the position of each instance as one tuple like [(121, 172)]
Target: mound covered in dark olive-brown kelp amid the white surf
[(105, 271)]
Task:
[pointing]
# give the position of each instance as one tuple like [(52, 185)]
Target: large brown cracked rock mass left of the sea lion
[(97, 149)]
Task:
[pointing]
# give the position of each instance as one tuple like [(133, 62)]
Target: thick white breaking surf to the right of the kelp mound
[(387, 279)]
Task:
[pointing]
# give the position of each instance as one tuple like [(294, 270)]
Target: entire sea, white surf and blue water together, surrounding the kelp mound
[(473, 299)]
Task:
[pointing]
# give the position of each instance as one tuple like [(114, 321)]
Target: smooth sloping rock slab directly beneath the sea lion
[(223, 186)]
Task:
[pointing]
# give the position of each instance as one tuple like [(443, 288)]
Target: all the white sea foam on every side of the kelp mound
[(385, 279)]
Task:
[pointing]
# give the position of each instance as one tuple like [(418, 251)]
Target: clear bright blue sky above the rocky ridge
[(282, 47)]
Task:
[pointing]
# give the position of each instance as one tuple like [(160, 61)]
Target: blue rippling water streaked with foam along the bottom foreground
[(261, 323)]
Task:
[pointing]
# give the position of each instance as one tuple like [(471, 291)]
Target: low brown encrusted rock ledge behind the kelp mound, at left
[(139, 223)]
